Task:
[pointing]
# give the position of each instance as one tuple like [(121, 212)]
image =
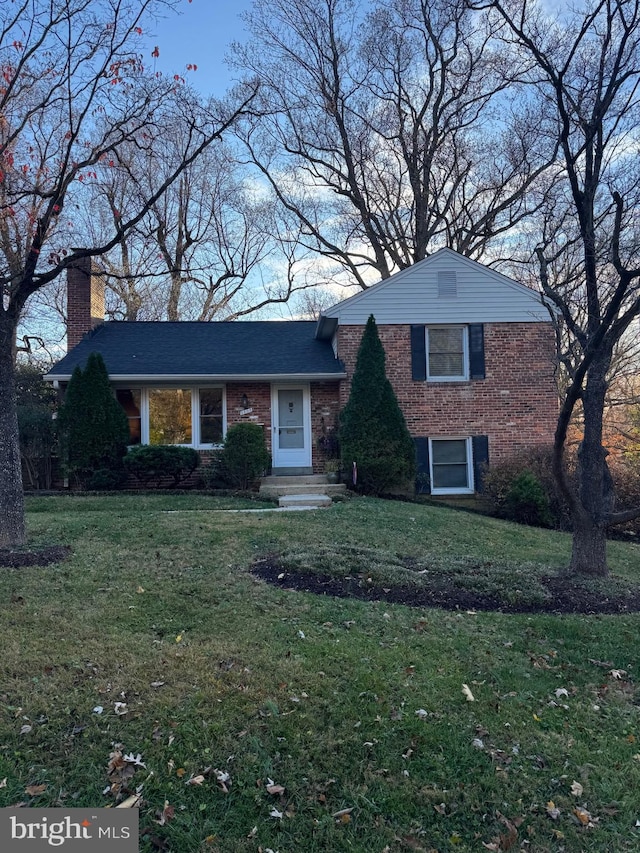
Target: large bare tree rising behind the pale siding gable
[(390, 132)]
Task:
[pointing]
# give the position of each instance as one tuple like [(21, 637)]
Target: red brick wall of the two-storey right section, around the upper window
[(516, 405)]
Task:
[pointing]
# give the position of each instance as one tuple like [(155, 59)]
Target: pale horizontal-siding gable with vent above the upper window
[(481, 295)]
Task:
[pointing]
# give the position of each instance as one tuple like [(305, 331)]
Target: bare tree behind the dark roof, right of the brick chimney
[(198, 244)]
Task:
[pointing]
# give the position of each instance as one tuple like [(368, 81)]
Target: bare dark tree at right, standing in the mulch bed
[(586, 64)]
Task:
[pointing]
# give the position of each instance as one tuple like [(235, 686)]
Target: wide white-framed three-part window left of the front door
[(193, 417)]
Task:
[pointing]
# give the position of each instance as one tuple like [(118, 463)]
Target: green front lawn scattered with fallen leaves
[(221, 673)]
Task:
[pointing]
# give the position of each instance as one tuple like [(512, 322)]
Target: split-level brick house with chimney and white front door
[(470, 354)]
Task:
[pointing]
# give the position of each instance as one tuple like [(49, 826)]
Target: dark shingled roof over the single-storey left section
[(193, 350)]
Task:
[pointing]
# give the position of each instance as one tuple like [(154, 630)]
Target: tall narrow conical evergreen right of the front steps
[(373, 432)]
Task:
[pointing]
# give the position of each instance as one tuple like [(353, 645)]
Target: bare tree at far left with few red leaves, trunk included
[(73, 92)]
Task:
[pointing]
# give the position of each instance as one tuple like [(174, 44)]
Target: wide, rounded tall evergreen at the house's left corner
[(92, 427)]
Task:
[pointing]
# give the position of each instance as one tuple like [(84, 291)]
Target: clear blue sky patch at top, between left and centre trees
[(199, 35)]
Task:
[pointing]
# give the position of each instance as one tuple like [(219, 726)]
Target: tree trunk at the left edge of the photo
[(12, 530)]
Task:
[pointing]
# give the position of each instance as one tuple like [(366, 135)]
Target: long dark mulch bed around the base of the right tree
[(565, 597)]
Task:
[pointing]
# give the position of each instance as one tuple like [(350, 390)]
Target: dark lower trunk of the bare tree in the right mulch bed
[(595, 486)]
